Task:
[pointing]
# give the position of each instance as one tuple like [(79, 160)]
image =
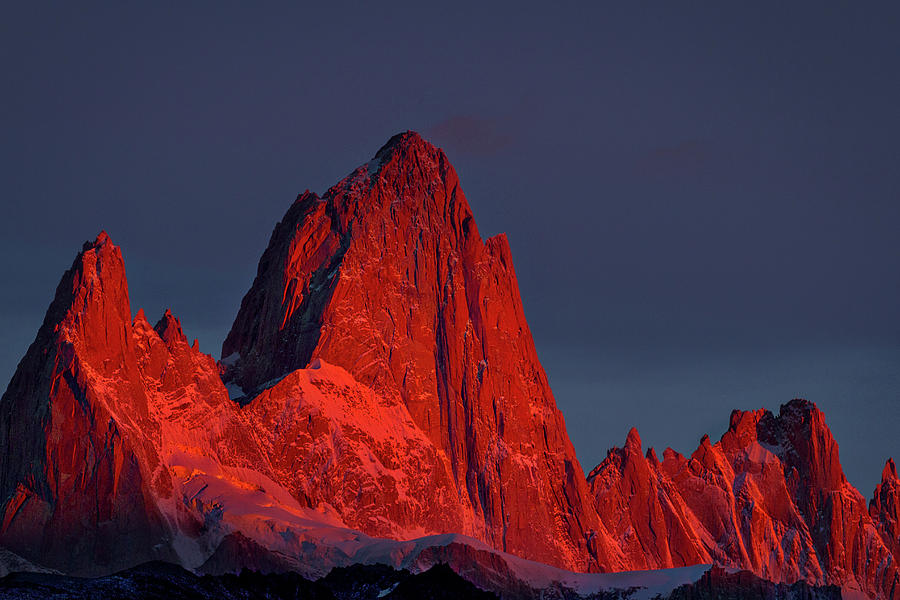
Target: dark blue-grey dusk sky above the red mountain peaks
[(702, 202)]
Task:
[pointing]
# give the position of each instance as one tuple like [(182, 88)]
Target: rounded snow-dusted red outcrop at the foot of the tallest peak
[(332, 441)]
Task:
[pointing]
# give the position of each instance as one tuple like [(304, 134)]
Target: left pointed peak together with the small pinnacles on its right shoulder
[(90, 423)]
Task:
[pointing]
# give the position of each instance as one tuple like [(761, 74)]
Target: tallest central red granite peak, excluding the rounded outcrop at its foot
[(387, 277)]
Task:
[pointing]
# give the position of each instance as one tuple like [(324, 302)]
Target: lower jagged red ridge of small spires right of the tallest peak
[(770, 497)]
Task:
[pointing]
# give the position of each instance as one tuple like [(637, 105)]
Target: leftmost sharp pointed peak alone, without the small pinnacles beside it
[(75, 480)]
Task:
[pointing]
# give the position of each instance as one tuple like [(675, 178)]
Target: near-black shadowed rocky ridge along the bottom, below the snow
[(366, 582)]
